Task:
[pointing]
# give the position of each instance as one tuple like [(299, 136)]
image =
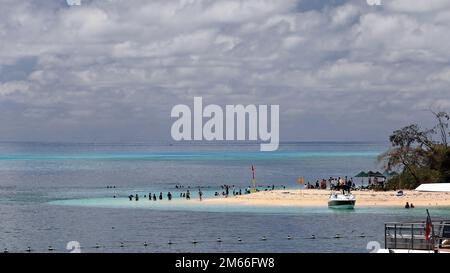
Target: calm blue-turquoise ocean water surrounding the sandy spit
[(55, 193)]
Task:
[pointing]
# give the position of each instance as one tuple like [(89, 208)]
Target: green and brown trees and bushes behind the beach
[(419, 155)]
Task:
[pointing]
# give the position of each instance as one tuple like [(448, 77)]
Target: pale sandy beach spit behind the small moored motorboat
[(319, 198)]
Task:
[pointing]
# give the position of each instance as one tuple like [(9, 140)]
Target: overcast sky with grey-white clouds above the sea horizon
[(111, 70)]
